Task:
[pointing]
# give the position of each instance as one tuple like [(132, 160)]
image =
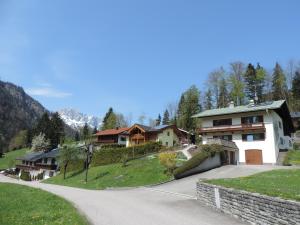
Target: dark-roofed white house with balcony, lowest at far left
[(37, 163)]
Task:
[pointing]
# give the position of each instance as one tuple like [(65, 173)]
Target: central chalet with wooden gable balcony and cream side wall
[(168, 135)]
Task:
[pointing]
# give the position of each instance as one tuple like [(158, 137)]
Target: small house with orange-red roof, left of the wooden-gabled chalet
[(112, 136)]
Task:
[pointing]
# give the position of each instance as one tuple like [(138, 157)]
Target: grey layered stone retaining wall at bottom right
[(250, 207)]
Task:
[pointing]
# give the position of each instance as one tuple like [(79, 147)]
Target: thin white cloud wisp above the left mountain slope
[(47, 92)]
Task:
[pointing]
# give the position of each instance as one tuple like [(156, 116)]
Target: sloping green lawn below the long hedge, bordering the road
[(138, 172)]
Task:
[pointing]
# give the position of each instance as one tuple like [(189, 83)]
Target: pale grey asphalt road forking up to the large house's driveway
[(172, 203)]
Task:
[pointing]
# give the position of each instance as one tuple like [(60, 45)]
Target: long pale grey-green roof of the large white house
[(240, 109)]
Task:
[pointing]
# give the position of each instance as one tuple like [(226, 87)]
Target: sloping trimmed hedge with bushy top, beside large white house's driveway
[(206, 152)]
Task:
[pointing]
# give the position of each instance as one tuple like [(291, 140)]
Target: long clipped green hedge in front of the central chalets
[(106, 156)]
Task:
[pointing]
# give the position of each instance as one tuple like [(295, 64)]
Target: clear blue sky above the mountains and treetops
[(136, 56)]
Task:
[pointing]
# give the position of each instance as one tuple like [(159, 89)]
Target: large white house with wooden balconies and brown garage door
[(259, 131)]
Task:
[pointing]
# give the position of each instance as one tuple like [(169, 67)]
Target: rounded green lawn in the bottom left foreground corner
[(25, 205)]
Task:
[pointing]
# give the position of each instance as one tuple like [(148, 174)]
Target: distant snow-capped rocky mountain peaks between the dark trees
[(77, 120)]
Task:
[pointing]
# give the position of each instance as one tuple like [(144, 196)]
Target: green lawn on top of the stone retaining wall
[(281, 183)]
